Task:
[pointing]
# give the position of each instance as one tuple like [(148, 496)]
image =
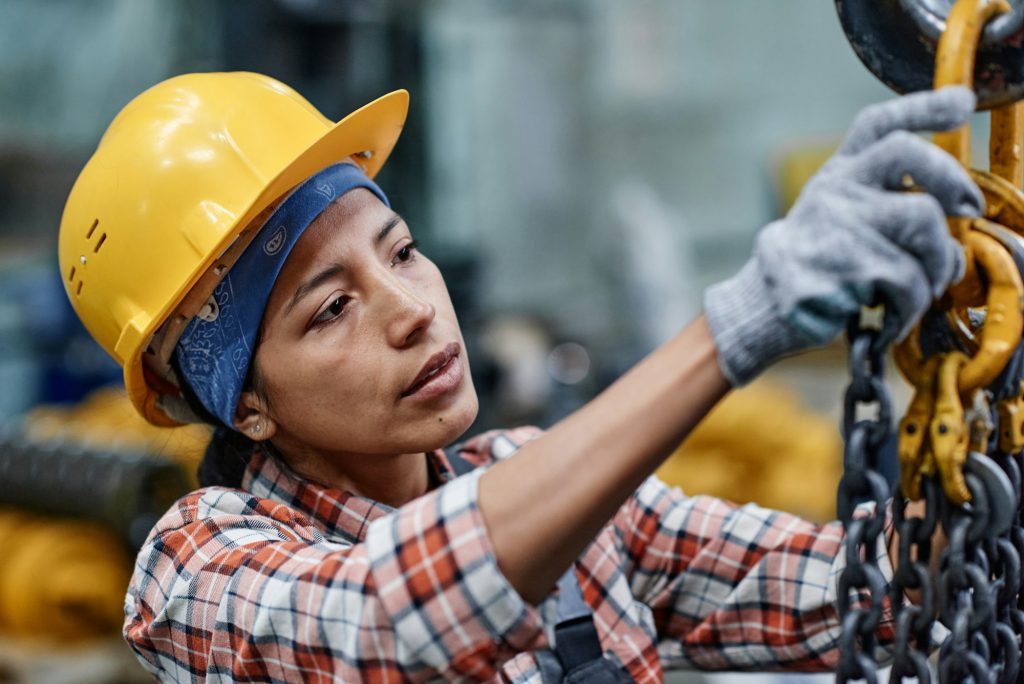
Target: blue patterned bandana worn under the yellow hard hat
[(215, 352)]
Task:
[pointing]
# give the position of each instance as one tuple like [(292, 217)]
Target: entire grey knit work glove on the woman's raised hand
[(854, 239)]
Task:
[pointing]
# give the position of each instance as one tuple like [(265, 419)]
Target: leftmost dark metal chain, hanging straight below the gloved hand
[(865, 438)]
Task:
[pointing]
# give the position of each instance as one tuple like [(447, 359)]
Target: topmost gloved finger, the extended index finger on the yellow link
[(930, 111)]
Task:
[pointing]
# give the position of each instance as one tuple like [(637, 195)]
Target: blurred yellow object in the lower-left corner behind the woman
[(61, 579)]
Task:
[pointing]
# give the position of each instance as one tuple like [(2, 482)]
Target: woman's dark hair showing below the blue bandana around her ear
[(228, 454)]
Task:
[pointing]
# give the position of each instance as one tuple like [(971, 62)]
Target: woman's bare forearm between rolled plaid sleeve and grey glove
[(545, 505)]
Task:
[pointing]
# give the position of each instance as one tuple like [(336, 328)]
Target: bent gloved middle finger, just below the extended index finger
[(887, 163)]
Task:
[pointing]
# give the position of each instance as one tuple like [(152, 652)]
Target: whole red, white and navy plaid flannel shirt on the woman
[(286, 580)]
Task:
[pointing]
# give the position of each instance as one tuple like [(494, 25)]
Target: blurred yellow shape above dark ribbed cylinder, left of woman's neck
[(107, 419)]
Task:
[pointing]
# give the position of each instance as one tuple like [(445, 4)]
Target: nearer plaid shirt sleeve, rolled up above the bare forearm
[(233, 587)]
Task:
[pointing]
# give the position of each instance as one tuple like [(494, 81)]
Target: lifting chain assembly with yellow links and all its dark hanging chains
[(961, 441)]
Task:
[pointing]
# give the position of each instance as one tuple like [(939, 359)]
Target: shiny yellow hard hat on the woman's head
[(172, 198)]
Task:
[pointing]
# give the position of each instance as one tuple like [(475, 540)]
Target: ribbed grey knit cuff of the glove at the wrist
[(749, 332)]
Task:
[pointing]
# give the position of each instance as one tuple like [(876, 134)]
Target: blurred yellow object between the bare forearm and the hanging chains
[(761, 446)]
